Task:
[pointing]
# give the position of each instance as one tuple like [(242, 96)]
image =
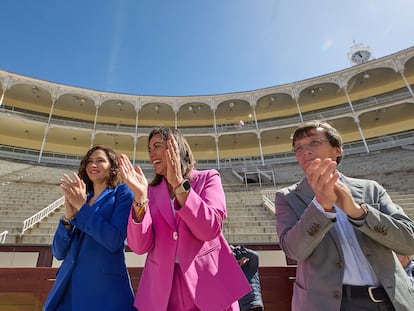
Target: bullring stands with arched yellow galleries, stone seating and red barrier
[(45, 128)]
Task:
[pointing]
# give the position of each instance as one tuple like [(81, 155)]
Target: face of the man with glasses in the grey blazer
[(312, 145)]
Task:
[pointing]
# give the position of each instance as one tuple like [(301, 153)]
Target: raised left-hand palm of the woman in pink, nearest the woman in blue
[(134, 178)]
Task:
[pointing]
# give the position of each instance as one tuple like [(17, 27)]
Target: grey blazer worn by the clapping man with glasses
[(308, 236)]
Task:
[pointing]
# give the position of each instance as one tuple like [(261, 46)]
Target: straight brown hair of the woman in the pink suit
[(187, 159)]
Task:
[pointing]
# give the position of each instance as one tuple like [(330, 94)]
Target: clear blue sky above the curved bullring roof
[(194, 47)]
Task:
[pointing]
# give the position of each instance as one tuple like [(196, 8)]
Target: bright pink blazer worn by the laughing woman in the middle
[(194, 239)]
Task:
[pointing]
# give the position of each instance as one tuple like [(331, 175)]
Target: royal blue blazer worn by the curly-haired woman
[(93, 274)]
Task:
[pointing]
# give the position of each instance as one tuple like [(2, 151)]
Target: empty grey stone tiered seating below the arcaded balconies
[(28, 188)]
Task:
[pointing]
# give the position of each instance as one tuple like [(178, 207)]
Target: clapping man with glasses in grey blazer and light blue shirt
[(342, 232)]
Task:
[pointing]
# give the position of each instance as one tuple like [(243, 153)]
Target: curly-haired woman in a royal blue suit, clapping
[(90, 238)]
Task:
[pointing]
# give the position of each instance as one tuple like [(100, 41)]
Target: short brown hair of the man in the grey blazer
[(306, 130)]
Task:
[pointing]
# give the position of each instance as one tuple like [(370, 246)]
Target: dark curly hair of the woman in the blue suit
[(114, 177)]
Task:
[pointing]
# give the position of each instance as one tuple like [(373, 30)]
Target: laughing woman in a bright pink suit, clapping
[(177, 220)]
